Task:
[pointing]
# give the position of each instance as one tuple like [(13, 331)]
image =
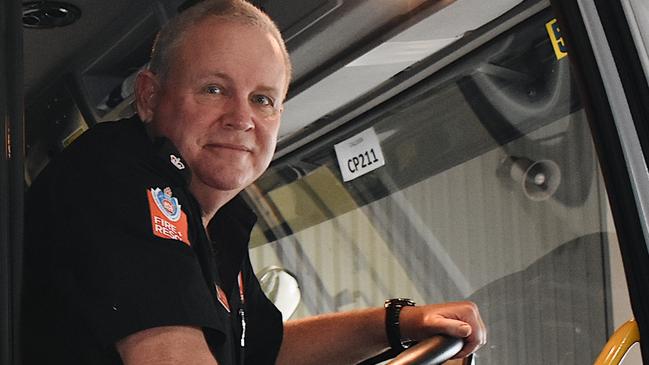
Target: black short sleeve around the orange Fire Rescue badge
[(119, 276)]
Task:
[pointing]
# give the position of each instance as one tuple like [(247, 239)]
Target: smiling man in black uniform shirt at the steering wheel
[(136, 241)]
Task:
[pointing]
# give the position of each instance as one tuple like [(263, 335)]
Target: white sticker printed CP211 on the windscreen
[(359, 155)]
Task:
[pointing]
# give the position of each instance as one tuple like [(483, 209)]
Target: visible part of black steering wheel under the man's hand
[(432, 351)]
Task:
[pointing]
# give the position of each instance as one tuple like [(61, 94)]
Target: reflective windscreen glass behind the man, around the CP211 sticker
[(491, 191)]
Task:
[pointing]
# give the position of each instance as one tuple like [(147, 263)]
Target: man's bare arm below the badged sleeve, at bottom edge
[(173, 345)]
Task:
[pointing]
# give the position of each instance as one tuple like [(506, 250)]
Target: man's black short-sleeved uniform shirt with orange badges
[(114, 244)]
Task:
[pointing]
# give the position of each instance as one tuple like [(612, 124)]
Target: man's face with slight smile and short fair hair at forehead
[(220, 103)]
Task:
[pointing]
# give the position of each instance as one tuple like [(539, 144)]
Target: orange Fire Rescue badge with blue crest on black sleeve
[(167, 219)]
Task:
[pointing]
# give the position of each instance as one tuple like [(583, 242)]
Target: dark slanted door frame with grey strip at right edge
[(607, 68)]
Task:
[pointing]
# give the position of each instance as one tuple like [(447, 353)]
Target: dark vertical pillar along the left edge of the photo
[(11, 176)]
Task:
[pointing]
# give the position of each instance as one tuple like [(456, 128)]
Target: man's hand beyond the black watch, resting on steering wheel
[(457, 319)]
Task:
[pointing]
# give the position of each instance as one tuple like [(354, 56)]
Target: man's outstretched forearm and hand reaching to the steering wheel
[(350, 337)]
